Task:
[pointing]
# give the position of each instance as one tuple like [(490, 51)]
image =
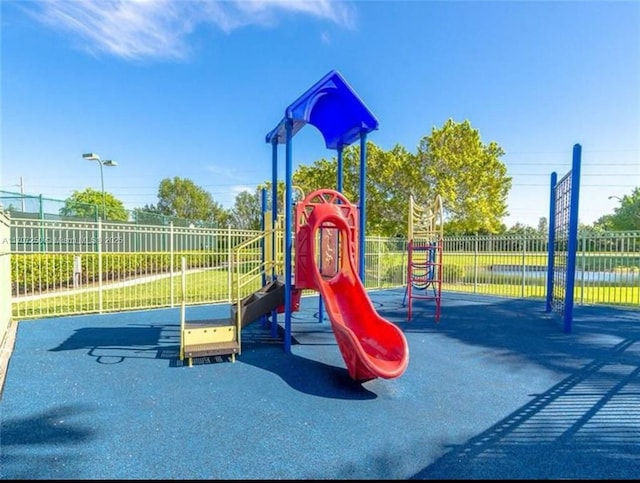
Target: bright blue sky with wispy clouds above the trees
[(190, 88)]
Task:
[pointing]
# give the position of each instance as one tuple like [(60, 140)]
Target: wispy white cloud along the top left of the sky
[(137, 29)]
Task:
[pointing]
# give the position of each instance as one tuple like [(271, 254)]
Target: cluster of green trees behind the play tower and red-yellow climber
[(452, 162)]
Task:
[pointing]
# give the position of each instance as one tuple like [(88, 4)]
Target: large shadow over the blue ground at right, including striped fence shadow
[(585, 427)]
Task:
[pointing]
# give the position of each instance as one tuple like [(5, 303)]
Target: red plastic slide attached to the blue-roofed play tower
[(370, 345)]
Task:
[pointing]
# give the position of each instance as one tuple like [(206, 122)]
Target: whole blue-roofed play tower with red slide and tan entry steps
[(328, 232)]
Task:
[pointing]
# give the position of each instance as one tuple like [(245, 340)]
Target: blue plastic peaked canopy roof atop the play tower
[(333, 107)]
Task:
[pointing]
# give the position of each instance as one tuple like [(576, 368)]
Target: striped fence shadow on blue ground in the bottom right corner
[(586, 427)]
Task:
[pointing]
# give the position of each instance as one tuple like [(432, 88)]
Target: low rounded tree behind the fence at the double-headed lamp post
[(89, 204)]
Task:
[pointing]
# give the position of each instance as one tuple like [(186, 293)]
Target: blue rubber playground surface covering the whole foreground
[(495, 390)]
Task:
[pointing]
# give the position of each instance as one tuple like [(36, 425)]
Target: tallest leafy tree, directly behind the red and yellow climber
[(468, 174)]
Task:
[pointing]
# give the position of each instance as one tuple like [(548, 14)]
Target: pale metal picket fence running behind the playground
[(64, 268)]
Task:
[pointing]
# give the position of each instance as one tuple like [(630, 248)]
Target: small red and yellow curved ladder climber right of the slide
[(424, 254)]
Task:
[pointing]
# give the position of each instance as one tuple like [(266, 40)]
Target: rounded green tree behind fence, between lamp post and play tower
[(182, 198)]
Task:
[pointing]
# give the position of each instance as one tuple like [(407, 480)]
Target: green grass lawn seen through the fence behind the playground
[(212, 286)]
